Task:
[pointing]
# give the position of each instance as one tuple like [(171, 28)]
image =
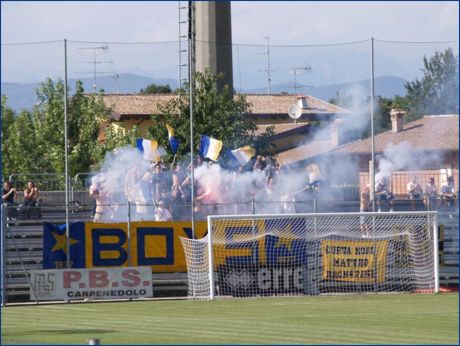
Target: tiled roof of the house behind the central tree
[(129, 105)]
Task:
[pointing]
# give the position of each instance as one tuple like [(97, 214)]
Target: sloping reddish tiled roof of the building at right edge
[(432, 132)]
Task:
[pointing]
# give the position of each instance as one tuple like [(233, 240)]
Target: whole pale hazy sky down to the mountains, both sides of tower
[(286, 23)]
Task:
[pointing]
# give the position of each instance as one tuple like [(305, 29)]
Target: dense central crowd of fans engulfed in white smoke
[(157, 193)]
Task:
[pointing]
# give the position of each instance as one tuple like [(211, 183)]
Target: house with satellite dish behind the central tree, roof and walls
[(128, 110)]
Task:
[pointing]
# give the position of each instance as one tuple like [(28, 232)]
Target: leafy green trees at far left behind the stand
[(33, 142)]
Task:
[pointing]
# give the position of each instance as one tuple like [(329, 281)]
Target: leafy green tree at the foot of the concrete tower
[(215, 114)]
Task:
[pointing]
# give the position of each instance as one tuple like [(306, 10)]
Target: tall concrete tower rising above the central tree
[(213, 39)]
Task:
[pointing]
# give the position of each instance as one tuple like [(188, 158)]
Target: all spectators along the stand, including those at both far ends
[(144, 191)]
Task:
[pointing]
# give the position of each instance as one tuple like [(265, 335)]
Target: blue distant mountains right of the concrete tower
[(386, 86)]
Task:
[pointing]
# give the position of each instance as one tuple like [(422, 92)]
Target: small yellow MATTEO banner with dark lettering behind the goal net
[(354, 261)]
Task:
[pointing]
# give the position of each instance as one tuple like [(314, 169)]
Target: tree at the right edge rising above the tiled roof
[(437, 91)]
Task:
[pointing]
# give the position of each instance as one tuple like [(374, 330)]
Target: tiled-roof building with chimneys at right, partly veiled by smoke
[(427, 147)]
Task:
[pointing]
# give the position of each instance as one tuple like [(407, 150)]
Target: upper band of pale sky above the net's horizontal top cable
[(286, 22)]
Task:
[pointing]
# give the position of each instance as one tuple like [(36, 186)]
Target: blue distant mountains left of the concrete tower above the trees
[(23, 95)]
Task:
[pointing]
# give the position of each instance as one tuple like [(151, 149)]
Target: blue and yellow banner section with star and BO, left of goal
[(103, 245)]
